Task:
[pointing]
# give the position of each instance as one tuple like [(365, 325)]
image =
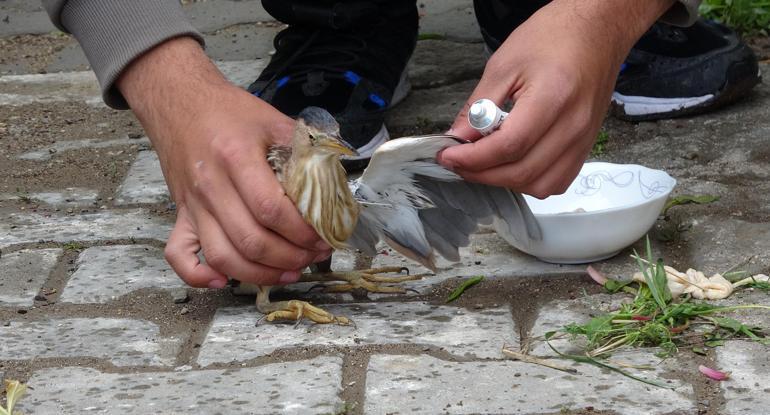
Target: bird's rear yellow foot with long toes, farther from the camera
[(367, 279)]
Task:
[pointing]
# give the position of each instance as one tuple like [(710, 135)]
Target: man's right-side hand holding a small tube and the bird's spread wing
[(559, 67)]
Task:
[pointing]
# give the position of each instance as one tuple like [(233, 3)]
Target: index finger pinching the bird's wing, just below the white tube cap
[(530, 119)]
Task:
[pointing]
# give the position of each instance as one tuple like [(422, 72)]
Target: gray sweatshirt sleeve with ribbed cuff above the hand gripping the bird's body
[(113, 33)]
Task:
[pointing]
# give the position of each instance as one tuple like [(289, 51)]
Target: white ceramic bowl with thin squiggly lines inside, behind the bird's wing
[(607, 208)]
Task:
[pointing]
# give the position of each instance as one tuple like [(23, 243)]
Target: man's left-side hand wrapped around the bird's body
[(212, 139)]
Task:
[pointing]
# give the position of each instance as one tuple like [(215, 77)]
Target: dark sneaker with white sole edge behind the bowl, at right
[(674, 71)]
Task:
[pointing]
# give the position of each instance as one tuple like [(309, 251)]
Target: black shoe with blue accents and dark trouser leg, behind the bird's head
[(348, 58)]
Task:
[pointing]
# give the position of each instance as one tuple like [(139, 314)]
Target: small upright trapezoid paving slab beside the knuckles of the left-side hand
[(144, 182)]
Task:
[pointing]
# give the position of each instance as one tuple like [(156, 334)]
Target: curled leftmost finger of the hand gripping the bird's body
[(182, 254)]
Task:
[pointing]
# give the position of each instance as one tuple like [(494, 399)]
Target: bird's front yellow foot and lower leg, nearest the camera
[(294, 310)]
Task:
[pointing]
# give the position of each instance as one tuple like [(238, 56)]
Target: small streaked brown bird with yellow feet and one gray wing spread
[(404, 197)]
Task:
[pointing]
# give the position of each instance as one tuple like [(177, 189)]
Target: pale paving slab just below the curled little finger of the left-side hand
[(105, 273)]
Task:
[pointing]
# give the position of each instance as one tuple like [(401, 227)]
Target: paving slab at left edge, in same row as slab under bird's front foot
[(123, 342)]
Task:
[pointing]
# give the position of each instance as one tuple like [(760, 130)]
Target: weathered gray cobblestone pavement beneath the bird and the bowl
[(94, 320)]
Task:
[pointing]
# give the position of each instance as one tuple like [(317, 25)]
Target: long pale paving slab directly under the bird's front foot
[(234, 337)]
